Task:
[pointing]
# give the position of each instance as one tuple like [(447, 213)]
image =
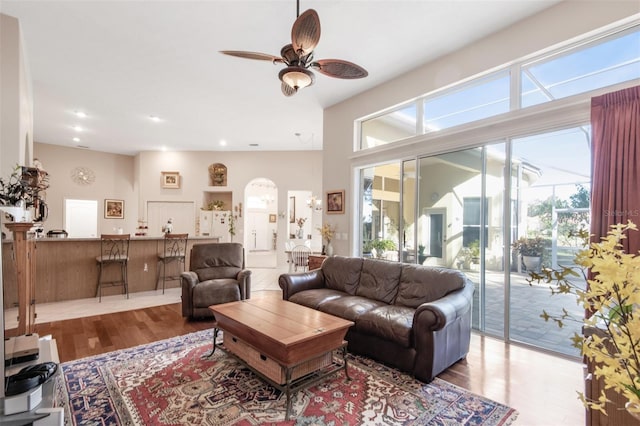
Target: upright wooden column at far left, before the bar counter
[(24, 252)]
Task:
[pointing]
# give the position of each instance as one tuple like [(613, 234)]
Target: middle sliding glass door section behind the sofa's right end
[(460, 210)]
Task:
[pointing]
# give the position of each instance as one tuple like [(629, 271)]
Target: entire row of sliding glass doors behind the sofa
[(459, 210)]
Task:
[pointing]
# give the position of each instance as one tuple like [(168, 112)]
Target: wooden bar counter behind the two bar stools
[(66, 268)]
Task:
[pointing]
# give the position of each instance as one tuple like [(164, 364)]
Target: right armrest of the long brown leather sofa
[(434, 316)]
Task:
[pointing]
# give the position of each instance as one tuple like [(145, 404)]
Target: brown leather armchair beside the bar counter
[(217, 275)]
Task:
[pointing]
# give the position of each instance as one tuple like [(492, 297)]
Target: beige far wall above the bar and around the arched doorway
[(136, 180)]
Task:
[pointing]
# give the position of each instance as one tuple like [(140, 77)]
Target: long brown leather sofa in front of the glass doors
[(415, 318)]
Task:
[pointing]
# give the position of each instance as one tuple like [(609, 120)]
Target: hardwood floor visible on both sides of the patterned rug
[(540, 386)]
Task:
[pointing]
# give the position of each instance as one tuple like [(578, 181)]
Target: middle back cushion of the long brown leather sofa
[(379, 280)]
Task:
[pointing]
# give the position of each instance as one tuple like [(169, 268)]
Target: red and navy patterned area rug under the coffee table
[(171, 383)]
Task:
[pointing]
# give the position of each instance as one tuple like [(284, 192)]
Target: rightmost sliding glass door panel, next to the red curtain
[(552, 175)]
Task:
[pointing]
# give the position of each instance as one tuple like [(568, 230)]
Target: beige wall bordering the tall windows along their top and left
[(557, 24)]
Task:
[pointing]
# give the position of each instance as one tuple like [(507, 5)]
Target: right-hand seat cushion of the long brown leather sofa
[(393, 323)]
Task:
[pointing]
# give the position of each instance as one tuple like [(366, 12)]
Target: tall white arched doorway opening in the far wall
[(261, 223)]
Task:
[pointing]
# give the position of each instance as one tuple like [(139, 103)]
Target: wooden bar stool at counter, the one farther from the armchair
[(114, 250)]
